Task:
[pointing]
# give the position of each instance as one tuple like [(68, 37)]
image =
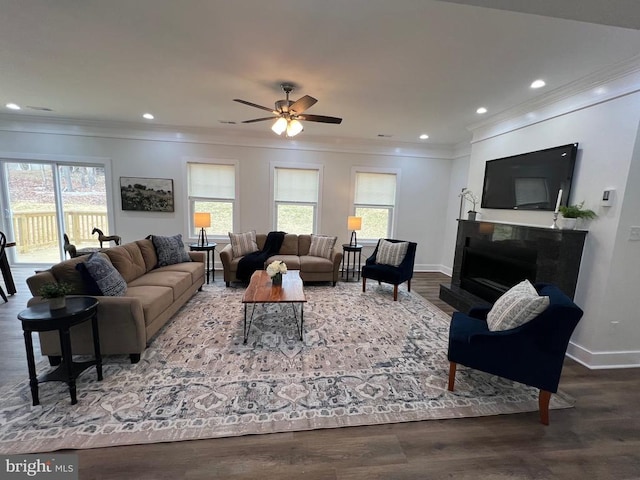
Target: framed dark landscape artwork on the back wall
[(147, 194)]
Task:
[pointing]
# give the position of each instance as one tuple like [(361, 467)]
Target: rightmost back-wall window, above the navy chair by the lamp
[(374, 201)]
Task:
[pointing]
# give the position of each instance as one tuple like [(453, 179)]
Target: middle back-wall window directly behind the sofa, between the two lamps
[(296, 199)]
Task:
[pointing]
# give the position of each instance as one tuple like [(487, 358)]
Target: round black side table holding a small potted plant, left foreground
[(39, 318)]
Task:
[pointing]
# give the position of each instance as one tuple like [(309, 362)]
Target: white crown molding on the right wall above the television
[(604, 85)]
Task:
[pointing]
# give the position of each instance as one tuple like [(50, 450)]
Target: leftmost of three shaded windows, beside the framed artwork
[(212, 189)]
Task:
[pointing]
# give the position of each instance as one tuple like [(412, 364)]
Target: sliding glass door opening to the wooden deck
[(46, 200)]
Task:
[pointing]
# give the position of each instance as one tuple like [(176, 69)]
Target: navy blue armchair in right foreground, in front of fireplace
[(532, 353)]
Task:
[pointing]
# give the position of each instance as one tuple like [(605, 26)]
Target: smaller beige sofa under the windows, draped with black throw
[(295, 253)]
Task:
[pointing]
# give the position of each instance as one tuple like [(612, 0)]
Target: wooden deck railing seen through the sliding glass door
[(39, 229)]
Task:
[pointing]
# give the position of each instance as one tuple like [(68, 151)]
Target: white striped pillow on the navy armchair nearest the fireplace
[(516, 307)]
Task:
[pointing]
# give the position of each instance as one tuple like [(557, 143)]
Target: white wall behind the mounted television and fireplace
[(607, 134)]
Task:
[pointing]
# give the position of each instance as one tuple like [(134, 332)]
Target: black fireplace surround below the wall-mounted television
[(492, 257)]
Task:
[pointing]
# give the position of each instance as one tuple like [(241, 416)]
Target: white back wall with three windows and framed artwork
[(424, 177)]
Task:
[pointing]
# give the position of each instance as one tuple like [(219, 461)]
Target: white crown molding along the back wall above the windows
[(36, 124)]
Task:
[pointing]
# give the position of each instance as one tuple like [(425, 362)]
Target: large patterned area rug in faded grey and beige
[(365, 360)]
